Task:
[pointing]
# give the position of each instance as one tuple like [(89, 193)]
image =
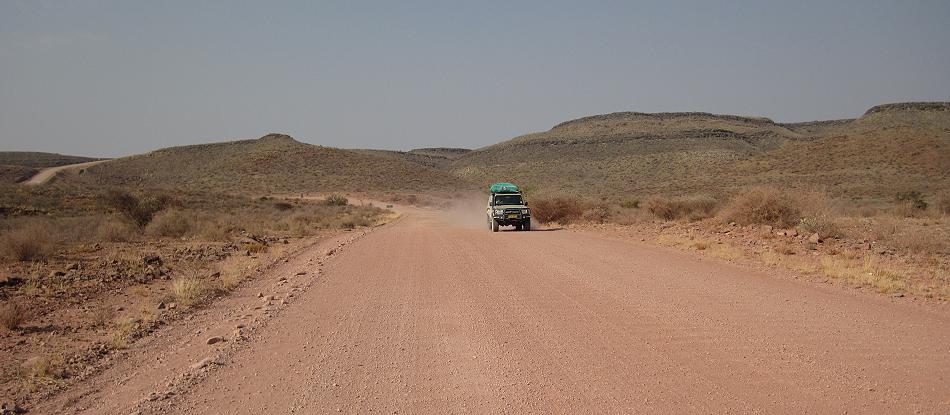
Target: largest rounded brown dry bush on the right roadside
[(762, 205)]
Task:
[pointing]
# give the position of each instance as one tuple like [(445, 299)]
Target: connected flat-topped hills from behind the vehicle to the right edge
[(891, 148)]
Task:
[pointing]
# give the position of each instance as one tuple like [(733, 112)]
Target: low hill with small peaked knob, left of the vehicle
[(273, 163)]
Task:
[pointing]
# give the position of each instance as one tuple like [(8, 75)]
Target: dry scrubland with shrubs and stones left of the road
[(164, 253)]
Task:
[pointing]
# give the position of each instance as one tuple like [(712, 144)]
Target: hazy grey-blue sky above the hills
[(108, 78)]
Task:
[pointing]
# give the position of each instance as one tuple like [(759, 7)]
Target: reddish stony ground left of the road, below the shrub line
[(81, 308)]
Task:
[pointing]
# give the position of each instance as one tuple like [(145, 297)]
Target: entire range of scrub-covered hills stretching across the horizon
[(891, 148)]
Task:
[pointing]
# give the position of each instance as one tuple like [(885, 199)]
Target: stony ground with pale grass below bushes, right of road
[(858, 262)]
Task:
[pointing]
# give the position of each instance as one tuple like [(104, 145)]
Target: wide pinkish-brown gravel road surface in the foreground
[(423, 316)]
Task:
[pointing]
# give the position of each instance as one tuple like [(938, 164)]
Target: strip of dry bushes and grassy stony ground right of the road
[(900, 248)]
